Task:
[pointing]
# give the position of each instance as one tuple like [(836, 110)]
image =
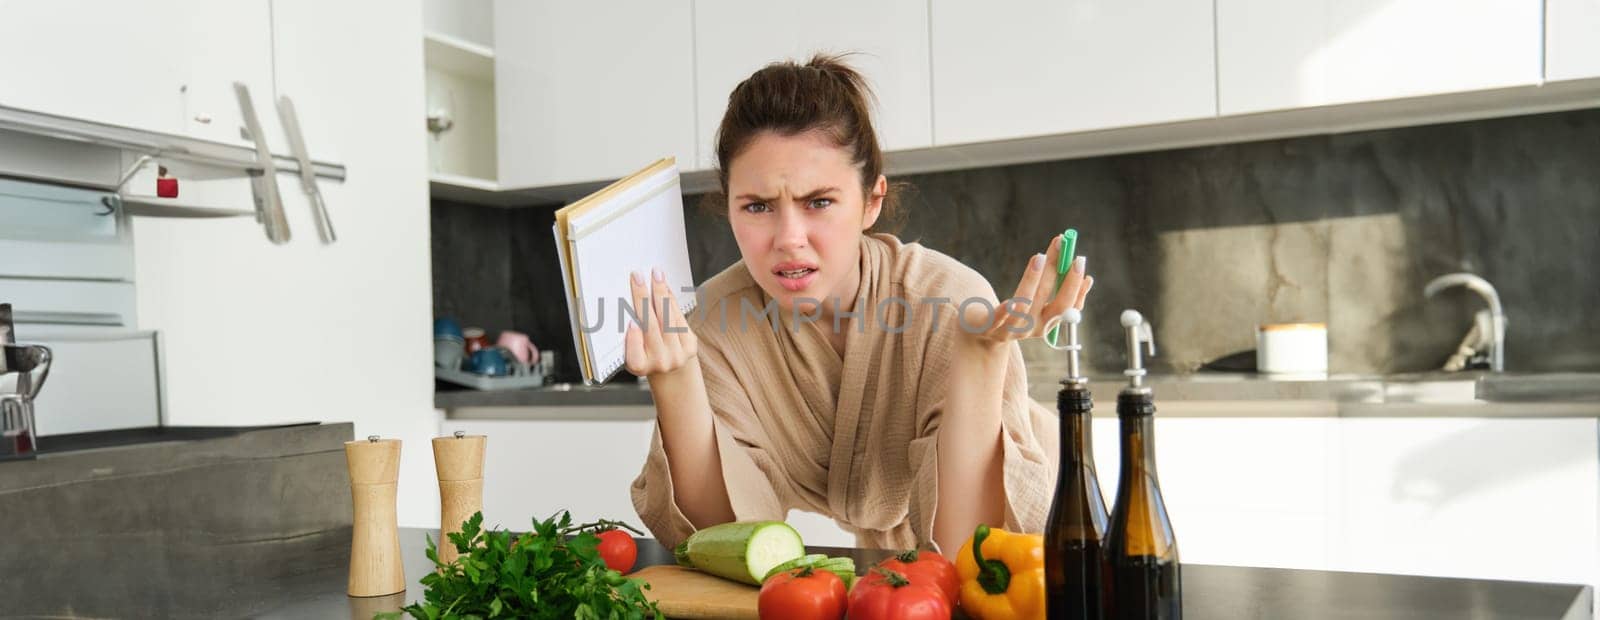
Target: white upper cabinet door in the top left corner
[(121, 63)]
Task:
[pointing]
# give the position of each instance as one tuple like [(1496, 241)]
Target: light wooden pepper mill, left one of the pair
[(377, 568)]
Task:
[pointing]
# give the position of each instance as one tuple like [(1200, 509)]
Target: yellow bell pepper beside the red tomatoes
[(1007, 586)]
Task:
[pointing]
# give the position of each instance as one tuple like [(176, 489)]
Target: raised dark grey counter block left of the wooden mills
[(174, 522)]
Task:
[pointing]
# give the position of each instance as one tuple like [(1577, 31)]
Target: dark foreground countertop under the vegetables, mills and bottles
[(311, 586)]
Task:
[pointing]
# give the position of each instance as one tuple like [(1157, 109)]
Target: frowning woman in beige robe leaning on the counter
[(834, 370)]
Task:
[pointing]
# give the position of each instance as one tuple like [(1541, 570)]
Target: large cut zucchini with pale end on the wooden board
[(743, 550)]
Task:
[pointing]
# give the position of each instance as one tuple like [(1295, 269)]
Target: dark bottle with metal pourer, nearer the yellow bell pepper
[(1076, 535)]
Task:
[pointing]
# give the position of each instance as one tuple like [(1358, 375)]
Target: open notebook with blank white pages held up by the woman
[(631, 226)]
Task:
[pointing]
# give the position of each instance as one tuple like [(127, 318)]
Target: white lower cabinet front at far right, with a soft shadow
[(1470, 498)]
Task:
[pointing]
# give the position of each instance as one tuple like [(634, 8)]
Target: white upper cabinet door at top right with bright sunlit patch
[(1292, 54)]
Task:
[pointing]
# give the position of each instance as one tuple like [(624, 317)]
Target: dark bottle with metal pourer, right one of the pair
[(1142, 547)]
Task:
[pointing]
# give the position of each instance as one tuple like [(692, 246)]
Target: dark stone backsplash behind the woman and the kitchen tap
[(1209, 244)]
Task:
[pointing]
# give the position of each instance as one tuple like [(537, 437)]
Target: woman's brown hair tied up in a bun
[(791, 100)]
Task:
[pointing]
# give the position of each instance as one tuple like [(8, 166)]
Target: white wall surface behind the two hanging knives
[(258, 333)]
